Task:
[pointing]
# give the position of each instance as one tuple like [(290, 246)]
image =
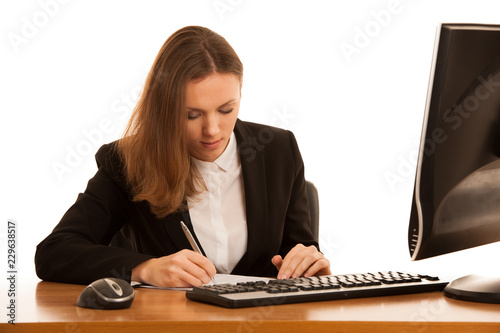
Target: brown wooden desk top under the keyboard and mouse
[(50, 307)]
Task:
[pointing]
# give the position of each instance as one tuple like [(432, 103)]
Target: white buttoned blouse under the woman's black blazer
[(218, 214)]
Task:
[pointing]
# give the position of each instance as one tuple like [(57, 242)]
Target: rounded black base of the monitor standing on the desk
[(475, 288)]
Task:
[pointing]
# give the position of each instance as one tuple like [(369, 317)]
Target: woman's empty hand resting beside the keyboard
[(301, 261)]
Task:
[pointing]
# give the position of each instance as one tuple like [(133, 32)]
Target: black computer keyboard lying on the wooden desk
[(311, 289)]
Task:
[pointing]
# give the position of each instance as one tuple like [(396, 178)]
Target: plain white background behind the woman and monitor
[(71, 71)]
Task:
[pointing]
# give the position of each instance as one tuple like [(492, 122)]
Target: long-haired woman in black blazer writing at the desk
[(185, 156)]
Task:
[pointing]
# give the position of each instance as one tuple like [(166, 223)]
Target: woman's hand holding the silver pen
[(185, 268)]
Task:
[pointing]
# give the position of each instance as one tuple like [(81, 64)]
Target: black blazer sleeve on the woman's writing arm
[(77, 250)]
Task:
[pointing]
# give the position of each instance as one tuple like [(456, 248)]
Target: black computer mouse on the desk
[(107, 293)]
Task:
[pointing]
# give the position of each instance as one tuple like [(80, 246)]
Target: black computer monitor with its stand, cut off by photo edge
[(456, 199)]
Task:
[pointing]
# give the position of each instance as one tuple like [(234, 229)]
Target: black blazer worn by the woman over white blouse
[(78, 251)]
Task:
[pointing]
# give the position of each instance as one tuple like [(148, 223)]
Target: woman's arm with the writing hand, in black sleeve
[(77, 250)]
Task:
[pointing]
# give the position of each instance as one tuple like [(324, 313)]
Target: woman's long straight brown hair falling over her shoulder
[(154, 147)]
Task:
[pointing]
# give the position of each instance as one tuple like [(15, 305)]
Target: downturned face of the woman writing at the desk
[(212, 104)]
